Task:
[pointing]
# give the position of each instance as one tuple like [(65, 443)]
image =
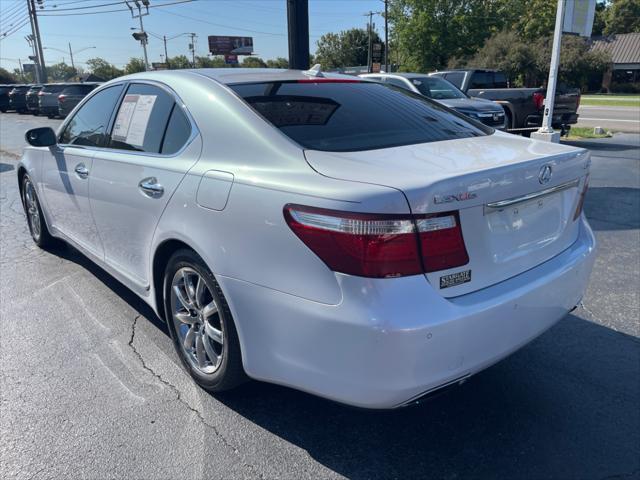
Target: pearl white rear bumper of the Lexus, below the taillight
[(391, 340)]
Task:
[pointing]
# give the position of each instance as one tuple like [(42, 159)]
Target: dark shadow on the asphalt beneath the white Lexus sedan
[(565, 406)]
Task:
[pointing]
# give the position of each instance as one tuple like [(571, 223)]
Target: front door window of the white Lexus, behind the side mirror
[(88, 127)]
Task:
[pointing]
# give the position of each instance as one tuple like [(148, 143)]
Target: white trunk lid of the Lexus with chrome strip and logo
[(512, 220)]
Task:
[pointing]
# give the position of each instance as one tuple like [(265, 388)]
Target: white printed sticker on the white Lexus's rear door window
[(133, 119)]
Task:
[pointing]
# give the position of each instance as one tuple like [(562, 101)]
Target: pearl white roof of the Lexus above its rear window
[(229, 76)]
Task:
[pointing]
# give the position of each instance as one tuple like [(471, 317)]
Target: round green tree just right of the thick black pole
[(348, 48)]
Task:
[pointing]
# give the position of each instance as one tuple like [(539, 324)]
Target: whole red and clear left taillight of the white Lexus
[(379, 246)]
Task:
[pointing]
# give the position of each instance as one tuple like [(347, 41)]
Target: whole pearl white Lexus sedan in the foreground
[(322, 232)]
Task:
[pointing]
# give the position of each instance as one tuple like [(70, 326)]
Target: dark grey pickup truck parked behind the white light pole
[(524, 107)]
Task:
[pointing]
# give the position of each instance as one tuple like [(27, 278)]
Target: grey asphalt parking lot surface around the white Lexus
[(90, 386)]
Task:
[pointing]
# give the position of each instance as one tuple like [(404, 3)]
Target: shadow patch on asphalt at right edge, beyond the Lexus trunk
[(613, 208)]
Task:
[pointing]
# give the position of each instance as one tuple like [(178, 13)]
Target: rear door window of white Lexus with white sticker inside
[(142, 119)]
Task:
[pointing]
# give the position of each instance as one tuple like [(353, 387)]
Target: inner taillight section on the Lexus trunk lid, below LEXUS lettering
[(441, 242)]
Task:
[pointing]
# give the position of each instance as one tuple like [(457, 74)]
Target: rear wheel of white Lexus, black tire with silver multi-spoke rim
[(200, 323)]
